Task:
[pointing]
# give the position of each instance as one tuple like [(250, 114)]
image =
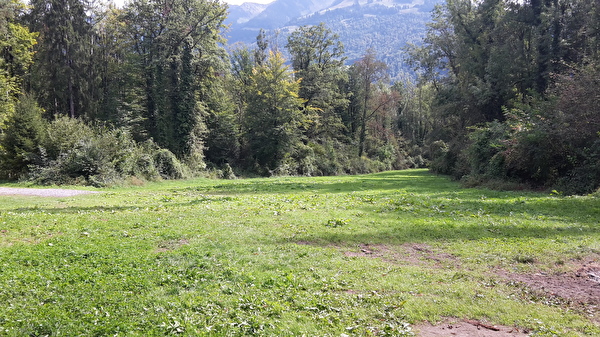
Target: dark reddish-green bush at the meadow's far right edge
[(556, 141)]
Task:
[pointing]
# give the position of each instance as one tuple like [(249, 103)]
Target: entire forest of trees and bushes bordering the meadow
[(504, 94)]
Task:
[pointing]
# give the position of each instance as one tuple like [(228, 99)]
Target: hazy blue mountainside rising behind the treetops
[(384, 25)]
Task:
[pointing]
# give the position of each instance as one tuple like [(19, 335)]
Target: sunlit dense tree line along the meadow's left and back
[(98, 95)]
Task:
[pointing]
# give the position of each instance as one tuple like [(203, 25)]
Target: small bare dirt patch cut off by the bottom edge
[(466, 328)]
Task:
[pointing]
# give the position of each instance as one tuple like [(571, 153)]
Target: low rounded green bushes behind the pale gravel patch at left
[(75, 153)]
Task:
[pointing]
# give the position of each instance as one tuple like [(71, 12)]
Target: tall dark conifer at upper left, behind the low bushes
[(60, 75)]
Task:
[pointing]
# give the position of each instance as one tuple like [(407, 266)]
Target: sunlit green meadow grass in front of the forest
[(281, 257)]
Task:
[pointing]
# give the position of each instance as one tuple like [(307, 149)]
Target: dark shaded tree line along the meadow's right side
[(516, 92)]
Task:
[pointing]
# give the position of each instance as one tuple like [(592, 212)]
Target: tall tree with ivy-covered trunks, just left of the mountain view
[(177, 51)]
